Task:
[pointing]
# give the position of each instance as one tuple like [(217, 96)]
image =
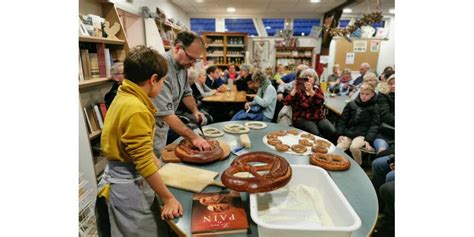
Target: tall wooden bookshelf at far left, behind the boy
[(92, 88)]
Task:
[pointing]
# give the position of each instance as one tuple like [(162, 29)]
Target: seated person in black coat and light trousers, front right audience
[(359, 123)]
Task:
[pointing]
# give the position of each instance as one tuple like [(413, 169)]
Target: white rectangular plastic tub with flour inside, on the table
[(344, 218)]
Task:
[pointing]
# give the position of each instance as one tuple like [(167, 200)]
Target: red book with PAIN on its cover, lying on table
[(218, 213)]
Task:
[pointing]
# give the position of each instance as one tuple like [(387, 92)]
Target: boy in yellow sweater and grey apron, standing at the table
[(127, 142)]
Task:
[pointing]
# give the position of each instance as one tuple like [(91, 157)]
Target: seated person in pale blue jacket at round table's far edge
[(262, 107)]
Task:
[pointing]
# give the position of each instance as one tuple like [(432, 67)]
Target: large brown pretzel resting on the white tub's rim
[(278, 175)]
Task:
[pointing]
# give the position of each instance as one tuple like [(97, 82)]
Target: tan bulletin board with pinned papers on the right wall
[(343, 47)]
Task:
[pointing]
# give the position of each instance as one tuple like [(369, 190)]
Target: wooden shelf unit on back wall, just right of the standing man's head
[(224, 48)]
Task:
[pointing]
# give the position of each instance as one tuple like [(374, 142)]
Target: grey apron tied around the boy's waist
[(131, 201)]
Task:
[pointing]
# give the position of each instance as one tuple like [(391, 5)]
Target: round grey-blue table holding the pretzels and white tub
[(353, 183)]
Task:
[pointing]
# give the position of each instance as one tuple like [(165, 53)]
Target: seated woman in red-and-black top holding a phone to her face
[(307, 104)]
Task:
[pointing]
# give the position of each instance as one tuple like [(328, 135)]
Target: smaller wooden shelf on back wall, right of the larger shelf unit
[(292, 56)]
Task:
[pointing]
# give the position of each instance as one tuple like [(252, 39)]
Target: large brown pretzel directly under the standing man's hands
[(187, 152)]
